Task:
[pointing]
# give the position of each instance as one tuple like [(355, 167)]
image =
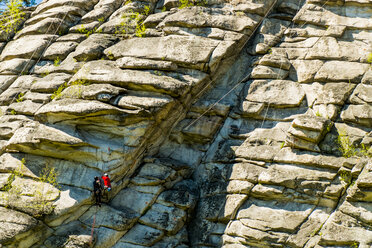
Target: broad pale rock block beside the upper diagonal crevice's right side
[(277, 93)]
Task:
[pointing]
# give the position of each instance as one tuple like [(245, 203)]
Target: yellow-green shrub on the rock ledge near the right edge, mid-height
[(348, 149)]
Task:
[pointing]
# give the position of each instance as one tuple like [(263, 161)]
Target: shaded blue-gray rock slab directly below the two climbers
[(109, 217)]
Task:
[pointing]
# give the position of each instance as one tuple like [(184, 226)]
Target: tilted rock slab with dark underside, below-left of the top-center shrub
[(93, 47)]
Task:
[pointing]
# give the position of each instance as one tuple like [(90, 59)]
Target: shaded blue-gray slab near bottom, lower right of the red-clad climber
[(165, 218)]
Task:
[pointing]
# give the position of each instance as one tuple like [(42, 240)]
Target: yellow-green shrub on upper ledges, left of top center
[(133, 23)]
